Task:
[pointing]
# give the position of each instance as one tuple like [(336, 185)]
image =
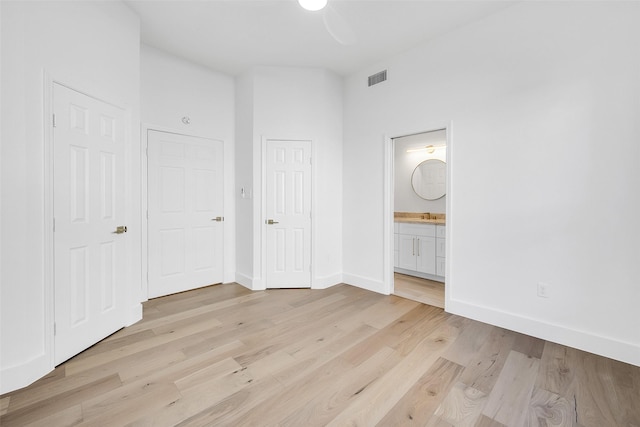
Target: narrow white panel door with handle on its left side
[(288, 214)]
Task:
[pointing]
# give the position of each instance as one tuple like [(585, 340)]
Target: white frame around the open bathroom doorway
[(388, 206)]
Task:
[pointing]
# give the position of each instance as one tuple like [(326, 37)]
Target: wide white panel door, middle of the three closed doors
[(185, 212)]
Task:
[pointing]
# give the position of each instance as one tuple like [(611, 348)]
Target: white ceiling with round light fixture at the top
[(234, 35)]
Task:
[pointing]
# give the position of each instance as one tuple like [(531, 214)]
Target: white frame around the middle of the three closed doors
[(144, 195)]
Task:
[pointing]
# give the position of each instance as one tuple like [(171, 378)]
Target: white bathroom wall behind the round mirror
[(405, 198)]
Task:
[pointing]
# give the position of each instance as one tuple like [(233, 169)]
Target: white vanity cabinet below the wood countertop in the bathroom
[(419, 251)]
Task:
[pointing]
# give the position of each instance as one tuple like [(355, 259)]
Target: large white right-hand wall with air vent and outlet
[(544, 102)]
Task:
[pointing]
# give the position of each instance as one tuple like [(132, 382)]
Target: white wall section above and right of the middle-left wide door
[(172, 88)]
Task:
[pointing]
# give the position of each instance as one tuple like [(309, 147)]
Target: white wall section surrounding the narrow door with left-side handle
[(292, 103)]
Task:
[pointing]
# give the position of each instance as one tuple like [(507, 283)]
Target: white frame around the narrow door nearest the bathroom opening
[(262, 284)]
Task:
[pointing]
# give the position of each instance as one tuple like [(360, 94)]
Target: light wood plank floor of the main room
[(226, 356)]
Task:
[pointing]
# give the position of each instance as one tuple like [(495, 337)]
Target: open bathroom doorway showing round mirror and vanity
[(419, 212)]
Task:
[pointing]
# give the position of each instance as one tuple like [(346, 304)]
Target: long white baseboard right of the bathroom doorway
[(583, 340)]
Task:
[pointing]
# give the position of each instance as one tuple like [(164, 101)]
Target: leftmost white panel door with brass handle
[(89, 204)]
